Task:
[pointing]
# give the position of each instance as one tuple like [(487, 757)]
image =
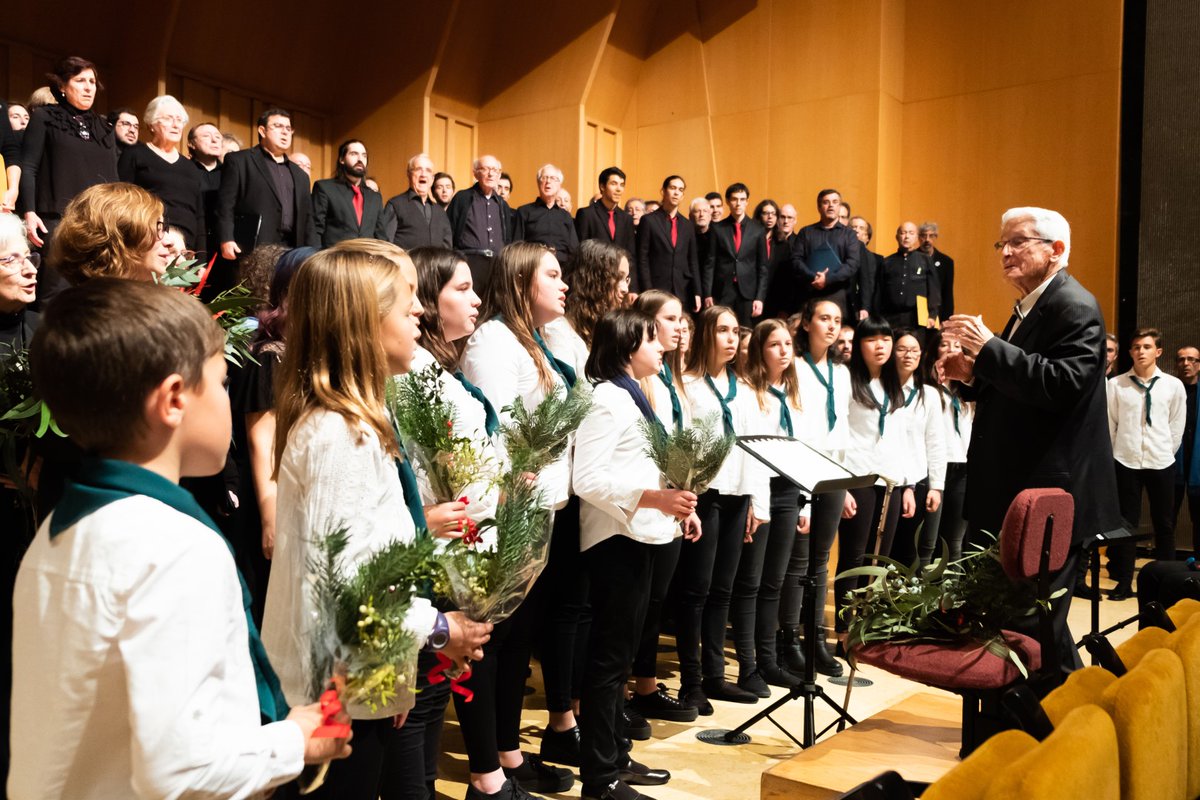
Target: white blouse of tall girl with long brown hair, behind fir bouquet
[(500, 366)]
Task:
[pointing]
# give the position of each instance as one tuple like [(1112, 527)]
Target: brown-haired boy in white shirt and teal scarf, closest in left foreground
[(136, 669)]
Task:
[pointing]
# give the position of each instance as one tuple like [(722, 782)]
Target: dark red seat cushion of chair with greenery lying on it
[(967, 665)]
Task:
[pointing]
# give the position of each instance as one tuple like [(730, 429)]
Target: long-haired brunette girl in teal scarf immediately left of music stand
[(728, 514)]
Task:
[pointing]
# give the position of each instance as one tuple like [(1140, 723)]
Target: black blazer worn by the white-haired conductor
[(1042, 414)]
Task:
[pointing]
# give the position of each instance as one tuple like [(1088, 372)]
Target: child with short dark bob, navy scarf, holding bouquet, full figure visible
[(626, 516)]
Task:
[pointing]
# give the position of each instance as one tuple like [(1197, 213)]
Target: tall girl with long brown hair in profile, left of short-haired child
[(509, 362)]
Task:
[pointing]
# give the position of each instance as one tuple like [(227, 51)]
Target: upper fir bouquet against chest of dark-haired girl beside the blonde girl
[(427, 423)]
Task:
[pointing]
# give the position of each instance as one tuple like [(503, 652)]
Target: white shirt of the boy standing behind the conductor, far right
[(1137, 444)]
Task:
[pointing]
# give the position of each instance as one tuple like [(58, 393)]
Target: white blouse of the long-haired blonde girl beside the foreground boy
[(333, 474)]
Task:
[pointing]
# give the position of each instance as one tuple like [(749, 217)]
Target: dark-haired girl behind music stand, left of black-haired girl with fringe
[(823, 423)]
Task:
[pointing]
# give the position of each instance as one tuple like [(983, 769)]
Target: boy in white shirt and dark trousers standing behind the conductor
[(1148, 411)]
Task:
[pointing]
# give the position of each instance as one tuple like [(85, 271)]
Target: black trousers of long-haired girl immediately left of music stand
[(705, 585)]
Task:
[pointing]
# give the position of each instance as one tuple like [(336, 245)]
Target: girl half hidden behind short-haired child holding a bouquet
[(668, 398)]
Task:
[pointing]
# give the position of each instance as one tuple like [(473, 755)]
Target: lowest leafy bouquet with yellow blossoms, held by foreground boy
[(359, 636)]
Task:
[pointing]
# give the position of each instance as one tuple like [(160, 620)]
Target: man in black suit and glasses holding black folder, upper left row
[(262, 183)]
